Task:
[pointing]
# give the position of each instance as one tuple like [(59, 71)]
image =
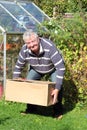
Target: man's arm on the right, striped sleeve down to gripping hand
[(58, 62)]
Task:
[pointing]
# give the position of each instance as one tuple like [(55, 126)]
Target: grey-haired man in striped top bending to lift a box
[(44, 58)]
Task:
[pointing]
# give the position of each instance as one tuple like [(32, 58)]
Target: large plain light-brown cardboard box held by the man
[(31, 91)]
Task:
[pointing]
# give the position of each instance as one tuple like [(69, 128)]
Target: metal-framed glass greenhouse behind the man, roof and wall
[(15, 18)]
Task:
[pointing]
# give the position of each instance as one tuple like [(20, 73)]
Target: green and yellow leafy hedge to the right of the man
[(70, 35)]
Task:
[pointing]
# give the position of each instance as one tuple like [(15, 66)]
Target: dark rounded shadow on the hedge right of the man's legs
[(70, 95)]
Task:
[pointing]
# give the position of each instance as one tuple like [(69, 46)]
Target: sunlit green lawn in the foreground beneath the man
[(11, 119)]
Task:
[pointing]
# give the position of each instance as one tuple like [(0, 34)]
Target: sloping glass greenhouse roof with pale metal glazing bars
[(16, 17)]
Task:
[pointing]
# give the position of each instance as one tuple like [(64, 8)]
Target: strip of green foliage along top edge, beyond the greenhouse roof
[(63, 6)]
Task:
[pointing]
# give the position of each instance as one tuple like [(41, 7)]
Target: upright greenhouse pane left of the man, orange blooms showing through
[(13, 46)]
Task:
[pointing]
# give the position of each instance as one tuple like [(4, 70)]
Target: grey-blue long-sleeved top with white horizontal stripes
[(49, 59)]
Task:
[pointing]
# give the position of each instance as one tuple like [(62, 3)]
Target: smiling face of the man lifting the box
[(32, 43)]
